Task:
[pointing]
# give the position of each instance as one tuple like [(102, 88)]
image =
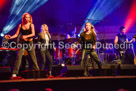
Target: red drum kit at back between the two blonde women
[(68, 55)]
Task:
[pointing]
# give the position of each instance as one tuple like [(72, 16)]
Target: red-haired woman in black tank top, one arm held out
[(27, 30)]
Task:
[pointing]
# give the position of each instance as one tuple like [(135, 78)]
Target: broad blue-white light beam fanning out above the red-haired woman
[(19, 7)]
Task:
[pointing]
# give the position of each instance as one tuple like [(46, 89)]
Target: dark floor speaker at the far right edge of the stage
[(127, 69)]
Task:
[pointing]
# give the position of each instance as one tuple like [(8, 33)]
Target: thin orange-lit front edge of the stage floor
[(66, 78)]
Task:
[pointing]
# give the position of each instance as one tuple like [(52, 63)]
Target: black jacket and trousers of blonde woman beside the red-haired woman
[(45, 52)]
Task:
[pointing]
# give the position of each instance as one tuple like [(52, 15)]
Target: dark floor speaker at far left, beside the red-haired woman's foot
[(5, 73)]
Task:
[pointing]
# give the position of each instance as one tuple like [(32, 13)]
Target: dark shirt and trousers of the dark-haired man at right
[(121, 51)]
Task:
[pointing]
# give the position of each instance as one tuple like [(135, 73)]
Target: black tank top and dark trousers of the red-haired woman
[(21, 52)]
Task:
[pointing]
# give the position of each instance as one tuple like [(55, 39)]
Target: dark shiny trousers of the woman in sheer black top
[(93, 55)]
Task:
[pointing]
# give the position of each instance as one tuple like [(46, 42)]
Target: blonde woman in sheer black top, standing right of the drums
[(88, 41)]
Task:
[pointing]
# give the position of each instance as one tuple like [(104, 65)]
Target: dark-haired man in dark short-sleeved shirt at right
[(120, 39)]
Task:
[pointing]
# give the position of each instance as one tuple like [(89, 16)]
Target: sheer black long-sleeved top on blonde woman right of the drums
[(87, 40)]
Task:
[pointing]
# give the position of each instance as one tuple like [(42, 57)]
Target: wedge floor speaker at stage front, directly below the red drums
[(72, 70)]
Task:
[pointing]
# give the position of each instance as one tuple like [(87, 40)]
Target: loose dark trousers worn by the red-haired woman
[(31, 52)]
